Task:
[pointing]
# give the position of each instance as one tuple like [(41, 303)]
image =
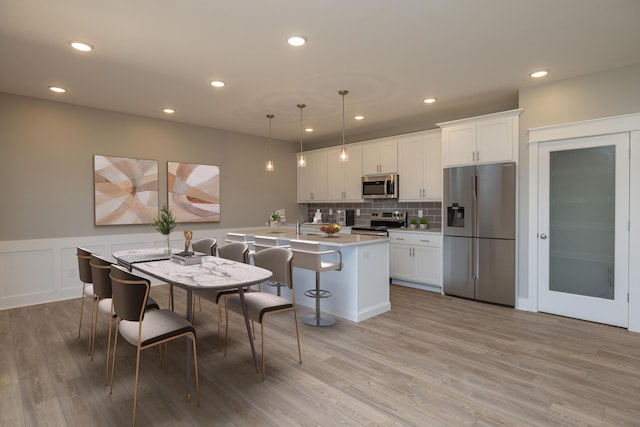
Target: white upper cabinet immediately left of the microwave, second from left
[(344, 178)]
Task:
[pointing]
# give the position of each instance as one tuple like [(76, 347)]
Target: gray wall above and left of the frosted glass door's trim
[(592, 96)]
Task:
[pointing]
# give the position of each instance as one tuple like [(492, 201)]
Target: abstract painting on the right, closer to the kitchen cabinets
[(194, 192)]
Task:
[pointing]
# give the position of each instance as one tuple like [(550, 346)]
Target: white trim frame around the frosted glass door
[(609, 125)]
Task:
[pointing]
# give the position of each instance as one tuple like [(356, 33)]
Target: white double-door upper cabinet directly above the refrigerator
[(485, 139)]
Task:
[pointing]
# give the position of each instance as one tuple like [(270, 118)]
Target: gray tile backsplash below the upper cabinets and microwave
[(432, 210)]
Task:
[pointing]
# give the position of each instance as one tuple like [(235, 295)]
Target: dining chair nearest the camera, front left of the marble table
[(145, 329)]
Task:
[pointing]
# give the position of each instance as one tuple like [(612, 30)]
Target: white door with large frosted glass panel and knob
[(583, 238)]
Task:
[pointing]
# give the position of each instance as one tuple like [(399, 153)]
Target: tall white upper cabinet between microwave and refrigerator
[(420, 166)]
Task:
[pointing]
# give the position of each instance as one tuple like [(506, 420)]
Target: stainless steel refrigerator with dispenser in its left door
[(479, 232)]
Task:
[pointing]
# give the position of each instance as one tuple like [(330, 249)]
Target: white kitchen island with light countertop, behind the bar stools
[(360, 290)]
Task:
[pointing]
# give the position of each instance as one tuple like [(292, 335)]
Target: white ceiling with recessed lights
[(390, 55)]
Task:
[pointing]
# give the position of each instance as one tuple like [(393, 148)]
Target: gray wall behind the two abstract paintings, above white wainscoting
[(47, 167)]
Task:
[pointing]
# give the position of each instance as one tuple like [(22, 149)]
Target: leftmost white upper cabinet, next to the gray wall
[(312, 179)]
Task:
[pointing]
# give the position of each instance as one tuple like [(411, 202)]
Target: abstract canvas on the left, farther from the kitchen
[(125, 190)]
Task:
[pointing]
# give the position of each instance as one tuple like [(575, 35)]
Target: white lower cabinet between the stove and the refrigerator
[(415, 257)]
